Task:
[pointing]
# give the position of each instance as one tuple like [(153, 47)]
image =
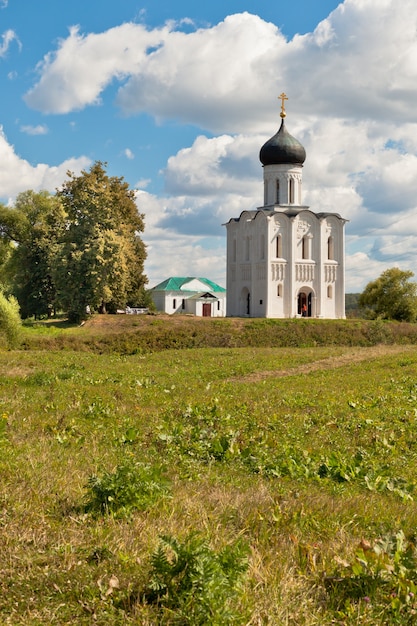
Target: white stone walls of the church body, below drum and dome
[(274, 255)]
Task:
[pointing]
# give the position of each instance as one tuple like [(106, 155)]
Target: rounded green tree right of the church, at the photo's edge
[(391, 296)]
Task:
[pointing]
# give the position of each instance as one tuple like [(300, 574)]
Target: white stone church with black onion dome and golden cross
[(283, 259)]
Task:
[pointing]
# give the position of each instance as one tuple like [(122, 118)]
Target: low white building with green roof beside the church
[(190, 295)]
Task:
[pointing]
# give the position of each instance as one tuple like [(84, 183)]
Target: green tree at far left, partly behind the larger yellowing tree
[(34, 226)]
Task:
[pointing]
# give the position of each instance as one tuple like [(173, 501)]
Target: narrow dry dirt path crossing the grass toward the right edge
[(355, 355)]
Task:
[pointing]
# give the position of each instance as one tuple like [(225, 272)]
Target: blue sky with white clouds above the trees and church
[(177, 97)]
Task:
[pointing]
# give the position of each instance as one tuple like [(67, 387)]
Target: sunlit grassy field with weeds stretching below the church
[(247, 485)]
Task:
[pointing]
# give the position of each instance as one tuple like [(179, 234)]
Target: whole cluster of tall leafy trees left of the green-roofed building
[(74, 251)]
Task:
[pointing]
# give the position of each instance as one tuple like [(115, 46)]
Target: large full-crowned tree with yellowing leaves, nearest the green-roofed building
[(100, 262)]
